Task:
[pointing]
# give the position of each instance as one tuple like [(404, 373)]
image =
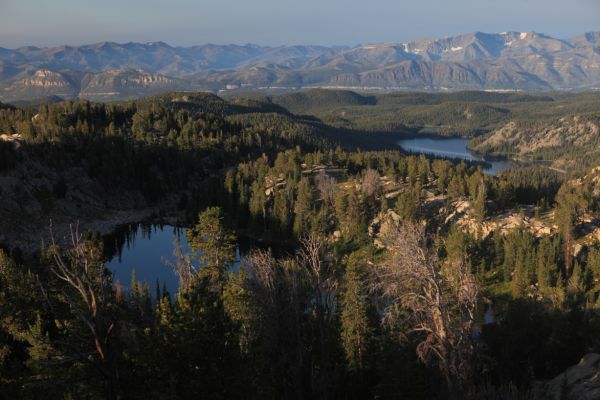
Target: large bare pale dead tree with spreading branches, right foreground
[(441, 302)]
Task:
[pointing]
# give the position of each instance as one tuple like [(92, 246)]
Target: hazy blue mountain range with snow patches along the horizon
[(476, 61)]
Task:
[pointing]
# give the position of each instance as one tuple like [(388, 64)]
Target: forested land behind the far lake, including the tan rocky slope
[(552, 129)]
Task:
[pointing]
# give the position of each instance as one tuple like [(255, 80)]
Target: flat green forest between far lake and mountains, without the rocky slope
[(459, 113)]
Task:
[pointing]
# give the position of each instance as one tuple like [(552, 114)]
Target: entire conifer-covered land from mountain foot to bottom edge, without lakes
[(374, 274)]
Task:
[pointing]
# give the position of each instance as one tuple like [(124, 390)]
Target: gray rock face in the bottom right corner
[(579, 382)]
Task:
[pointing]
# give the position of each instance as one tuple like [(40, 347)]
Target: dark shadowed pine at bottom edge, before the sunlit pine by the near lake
[(204, 353)]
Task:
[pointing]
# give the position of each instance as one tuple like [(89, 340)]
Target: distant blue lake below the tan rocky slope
[(451, 148)]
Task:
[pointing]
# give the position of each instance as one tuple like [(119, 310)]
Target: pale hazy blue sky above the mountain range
[(274, 22)]
